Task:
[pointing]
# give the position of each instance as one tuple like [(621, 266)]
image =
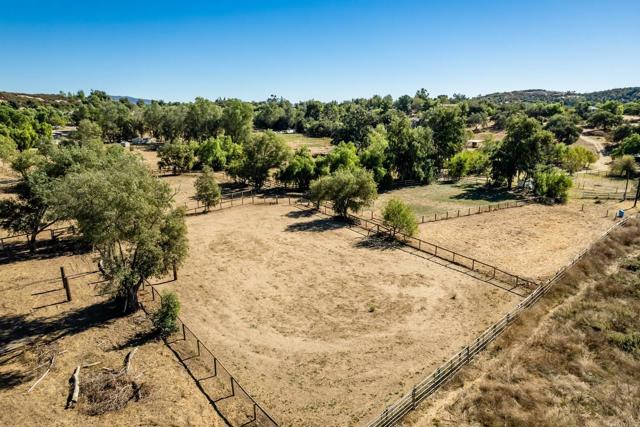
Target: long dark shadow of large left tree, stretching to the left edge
[(19, 328)]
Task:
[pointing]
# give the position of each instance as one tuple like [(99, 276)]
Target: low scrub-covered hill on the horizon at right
[(541, 95)]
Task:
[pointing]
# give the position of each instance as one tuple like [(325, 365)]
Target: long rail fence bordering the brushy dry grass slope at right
[(393, 413)]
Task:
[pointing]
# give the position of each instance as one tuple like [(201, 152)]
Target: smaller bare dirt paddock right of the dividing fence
[(533, 241)]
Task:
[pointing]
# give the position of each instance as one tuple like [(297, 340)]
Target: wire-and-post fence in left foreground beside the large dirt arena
[(212, 378)]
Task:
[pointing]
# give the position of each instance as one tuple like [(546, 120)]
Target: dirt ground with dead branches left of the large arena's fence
[(88, 333)]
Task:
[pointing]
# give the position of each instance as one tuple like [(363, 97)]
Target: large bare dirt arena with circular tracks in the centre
[(317, 323)]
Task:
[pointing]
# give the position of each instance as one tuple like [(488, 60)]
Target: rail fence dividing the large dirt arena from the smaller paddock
[(490, 271)]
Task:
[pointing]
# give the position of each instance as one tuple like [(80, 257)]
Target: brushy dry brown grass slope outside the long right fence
[(569, 361)]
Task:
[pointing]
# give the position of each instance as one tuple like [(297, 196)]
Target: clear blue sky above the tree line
[(322, 49)]
